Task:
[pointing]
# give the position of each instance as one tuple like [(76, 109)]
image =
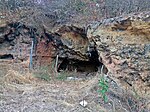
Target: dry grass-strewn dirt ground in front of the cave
[(25, 93)]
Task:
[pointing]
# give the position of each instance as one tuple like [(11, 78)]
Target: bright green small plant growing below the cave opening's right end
[(103, 84)]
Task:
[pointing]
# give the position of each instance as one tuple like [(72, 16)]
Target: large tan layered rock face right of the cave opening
[(124, 46)]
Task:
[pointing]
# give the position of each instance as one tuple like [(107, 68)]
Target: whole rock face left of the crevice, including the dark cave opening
[(70, 44)]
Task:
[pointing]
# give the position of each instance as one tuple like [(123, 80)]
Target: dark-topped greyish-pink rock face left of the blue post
[(15, 40)]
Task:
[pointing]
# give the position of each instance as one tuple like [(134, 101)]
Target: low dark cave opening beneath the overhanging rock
[(92, 65)]
